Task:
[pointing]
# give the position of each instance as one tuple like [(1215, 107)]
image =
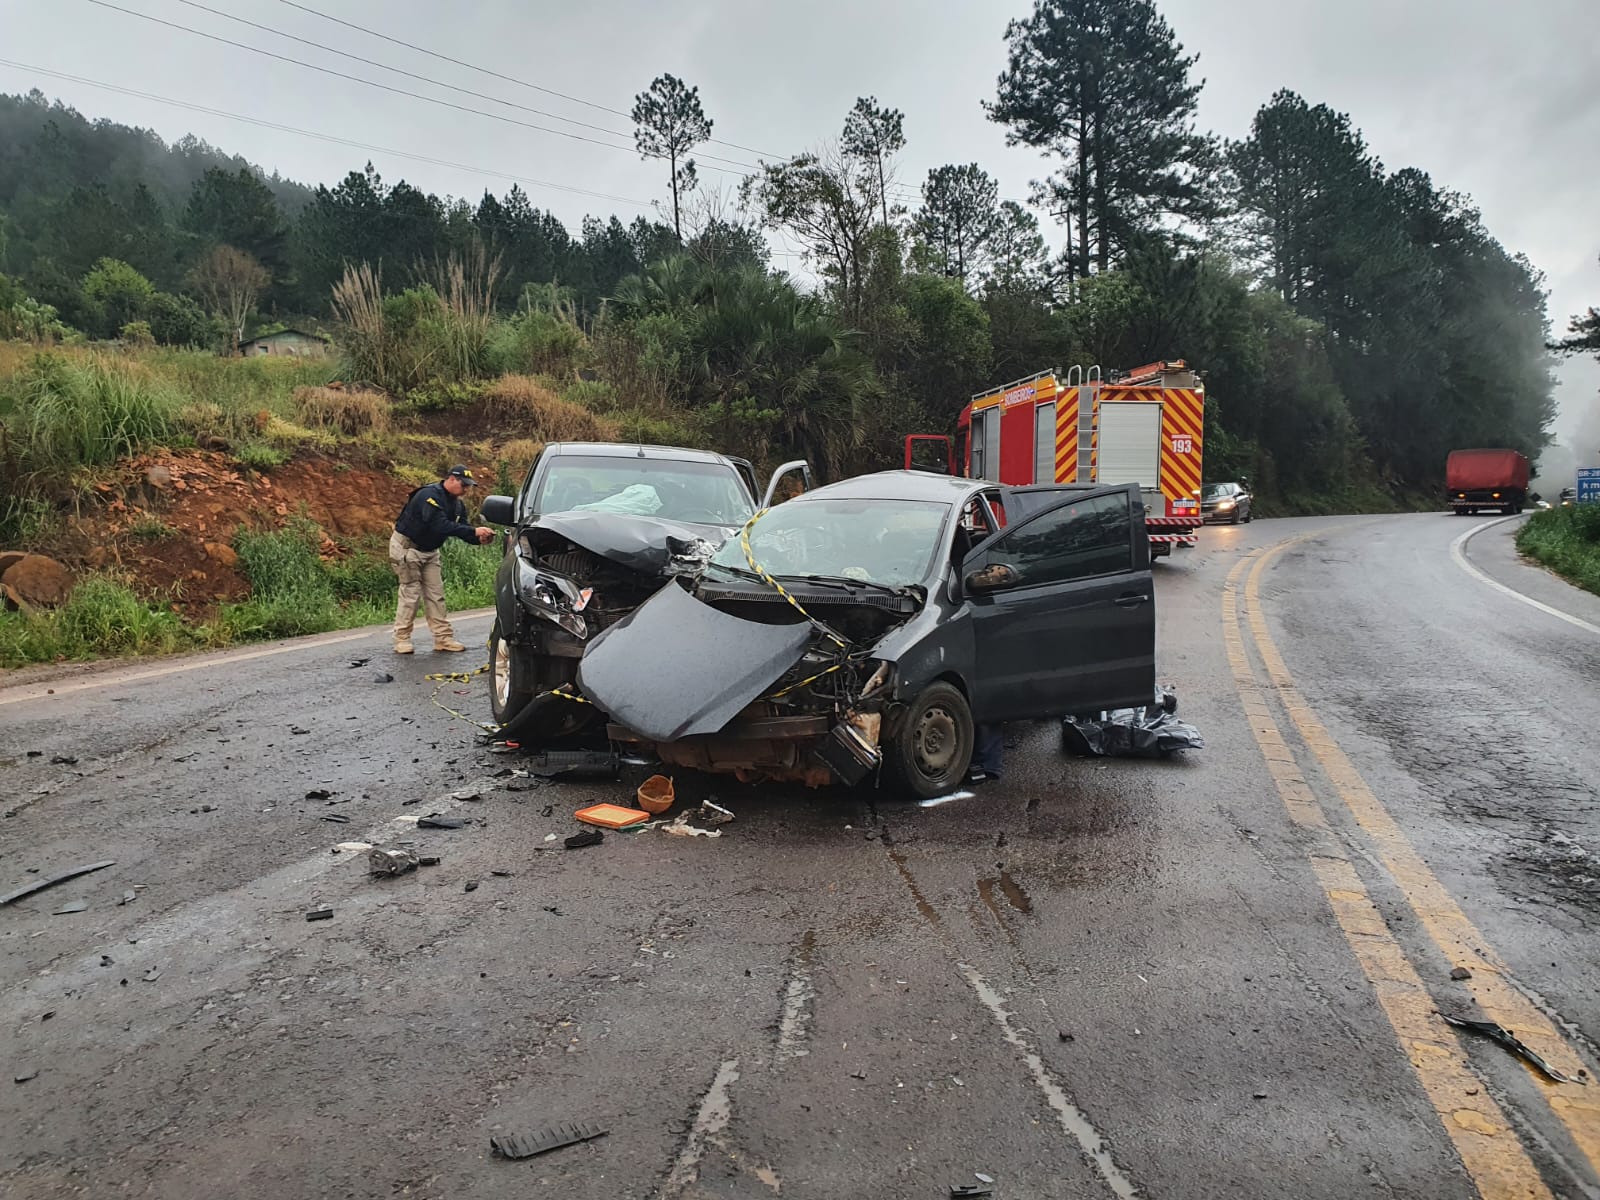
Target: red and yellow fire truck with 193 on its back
[(1142, 426)]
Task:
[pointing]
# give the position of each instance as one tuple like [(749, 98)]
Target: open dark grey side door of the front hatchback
[(1063, 607)]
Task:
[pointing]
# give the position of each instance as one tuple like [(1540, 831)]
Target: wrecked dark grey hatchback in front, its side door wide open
[(862, 628)]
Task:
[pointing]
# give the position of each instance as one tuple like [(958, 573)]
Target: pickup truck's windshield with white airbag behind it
[(700, 494)]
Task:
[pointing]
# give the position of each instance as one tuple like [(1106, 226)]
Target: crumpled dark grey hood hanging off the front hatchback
[(676, 668)]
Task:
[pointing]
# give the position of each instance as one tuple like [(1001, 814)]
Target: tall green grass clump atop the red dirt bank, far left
[(92, 410)]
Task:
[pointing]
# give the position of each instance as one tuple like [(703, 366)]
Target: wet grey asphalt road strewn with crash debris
[(1214, 977)]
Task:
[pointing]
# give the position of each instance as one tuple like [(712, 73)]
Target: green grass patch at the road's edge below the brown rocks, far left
[(100, 620)]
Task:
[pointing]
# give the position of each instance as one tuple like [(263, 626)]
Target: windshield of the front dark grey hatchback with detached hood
[(878, 542)]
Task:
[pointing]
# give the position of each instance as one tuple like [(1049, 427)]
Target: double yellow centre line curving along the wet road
[(1489, 1146)]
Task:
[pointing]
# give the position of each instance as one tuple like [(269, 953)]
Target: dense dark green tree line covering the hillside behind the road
[(1354, 324)]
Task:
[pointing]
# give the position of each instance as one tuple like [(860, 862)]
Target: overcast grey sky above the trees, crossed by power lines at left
[(1494, 100)]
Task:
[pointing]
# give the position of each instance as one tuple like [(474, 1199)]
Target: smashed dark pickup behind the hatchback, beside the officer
[(596, 530)]
